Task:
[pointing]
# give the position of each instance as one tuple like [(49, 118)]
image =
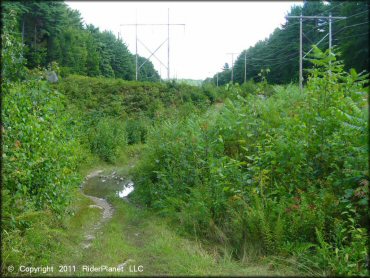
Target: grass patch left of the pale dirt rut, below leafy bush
[(49, 241)]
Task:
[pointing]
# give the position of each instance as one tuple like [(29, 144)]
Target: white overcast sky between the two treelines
[(198, 50)]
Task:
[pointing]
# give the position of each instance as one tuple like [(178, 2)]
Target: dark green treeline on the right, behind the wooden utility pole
[(280, 51)]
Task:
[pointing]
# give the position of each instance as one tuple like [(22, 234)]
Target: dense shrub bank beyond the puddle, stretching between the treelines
[(109, 106)]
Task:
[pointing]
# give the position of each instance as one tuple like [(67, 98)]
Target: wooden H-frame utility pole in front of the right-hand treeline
[(301, 17)]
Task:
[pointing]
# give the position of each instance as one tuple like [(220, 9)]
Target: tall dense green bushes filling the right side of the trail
[(282, 170)]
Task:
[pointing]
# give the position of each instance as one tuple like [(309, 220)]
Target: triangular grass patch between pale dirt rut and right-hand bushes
[(138, 237)]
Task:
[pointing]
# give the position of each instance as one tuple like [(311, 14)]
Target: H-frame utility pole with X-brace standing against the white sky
[(168, 24)]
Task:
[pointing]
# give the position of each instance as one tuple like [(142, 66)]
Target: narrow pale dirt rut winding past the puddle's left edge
[(100, 203)]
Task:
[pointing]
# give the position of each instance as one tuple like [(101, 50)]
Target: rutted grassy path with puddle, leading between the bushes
[(134, 241)]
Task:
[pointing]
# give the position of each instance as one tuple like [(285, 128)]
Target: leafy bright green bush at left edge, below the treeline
[(40, 151)]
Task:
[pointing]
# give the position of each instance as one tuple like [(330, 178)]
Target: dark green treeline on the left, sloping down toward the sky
[(52, 32)]
